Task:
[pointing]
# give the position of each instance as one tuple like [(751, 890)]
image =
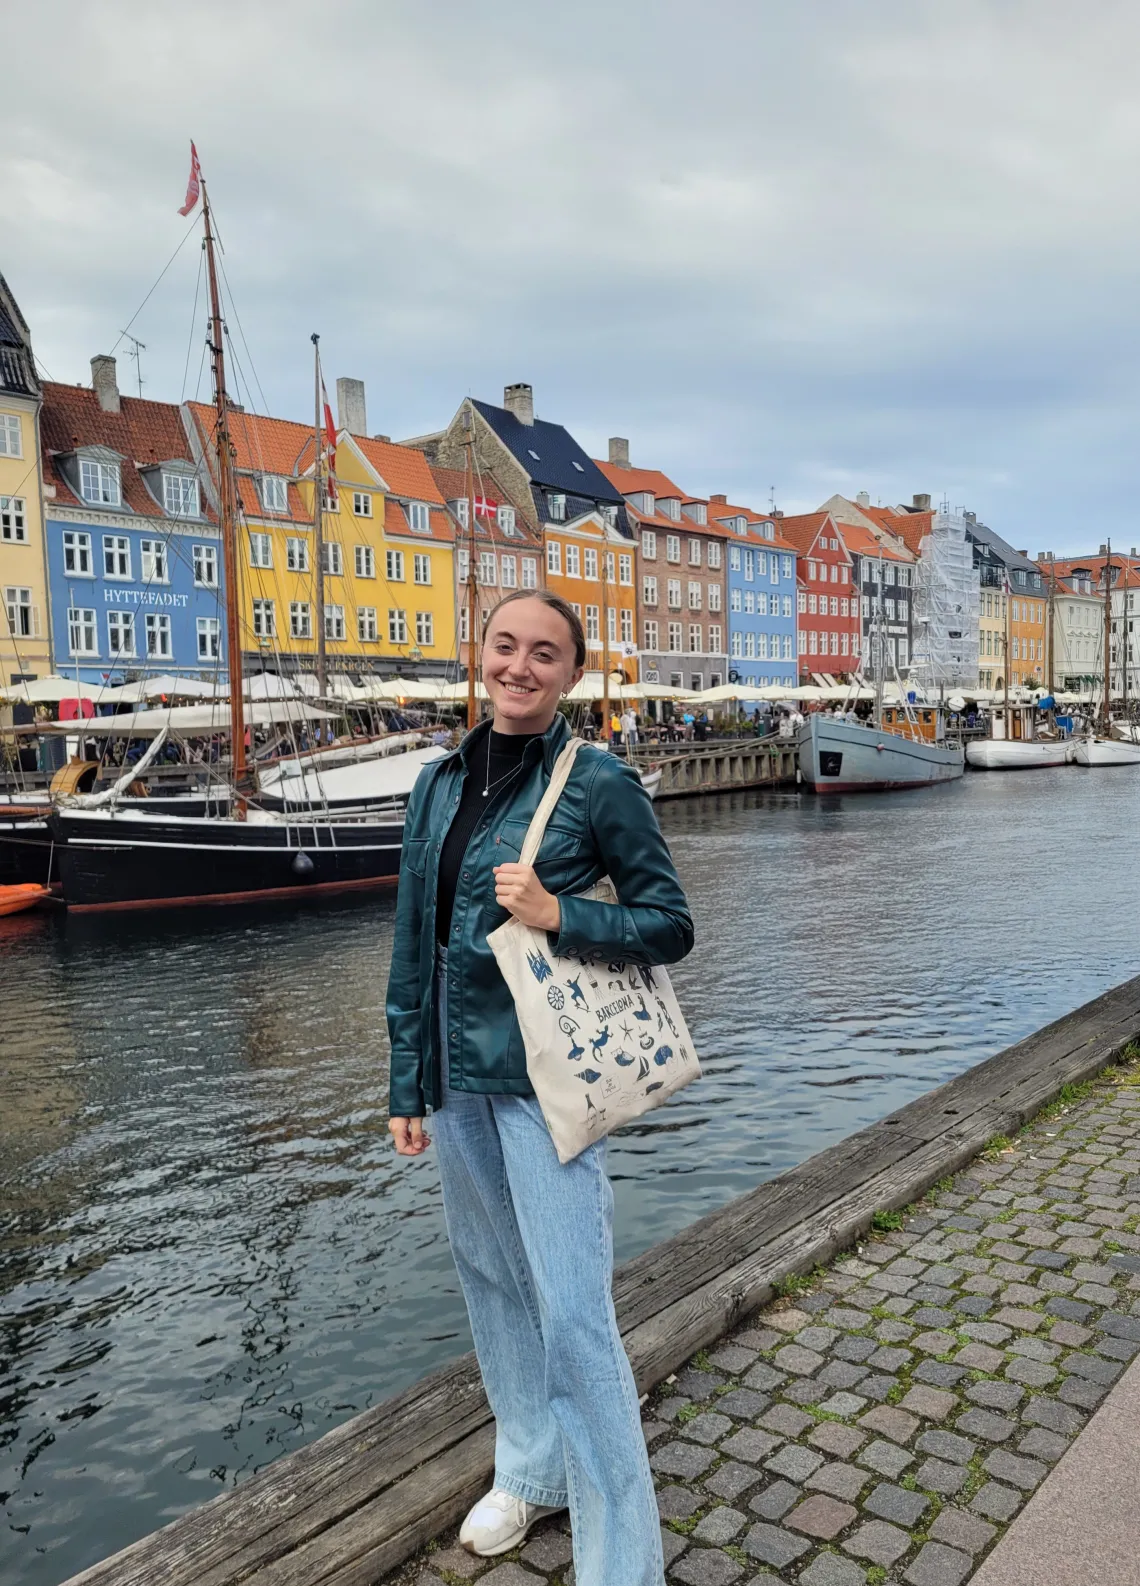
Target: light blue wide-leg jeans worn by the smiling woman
[(534, 1243)]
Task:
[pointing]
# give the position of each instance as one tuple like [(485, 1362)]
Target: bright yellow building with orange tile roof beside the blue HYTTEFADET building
[(388, 551)]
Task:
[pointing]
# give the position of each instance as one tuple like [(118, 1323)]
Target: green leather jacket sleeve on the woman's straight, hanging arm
[(405, 992)]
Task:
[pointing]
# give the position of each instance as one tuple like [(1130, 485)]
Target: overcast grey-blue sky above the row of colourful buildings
[(808, 247)]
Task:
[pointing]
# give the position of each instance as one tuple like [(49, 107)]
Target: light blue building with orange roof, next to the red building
[(762, 599)]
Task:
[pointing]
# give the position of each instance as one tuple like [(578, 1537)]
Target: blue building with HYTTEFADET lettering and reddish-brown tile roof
[(134, 553)]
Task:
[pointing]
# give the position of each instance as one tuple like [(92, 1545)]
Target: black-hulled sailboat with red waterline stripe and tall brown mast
[(118, 857)]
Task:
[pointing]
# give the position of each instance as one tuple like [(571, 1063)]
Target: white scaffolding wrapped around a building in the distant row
[(946, 653)]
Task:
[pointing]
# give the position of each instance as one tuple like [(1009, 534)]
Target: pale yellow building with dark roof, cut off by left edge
[(25, 616)]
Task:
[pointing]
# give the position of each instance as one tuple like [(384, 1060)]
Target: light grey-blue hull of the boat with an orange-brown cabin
[(847, 757)]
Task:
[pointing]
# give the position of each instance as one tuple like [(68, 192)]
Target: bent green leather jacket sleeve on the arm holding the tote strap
[(651, 922)]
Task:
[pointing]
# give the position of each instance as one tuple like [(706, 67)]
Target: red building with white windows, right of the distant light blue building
[(828, 605)]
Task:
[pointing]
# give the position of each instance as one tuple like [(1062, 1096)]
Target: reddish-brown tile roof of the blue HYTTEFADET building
[(143, 434)]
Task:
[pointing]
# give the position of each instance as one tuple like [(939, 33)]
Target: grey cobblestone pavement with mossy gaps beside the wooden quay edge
[(890, 1419)]
